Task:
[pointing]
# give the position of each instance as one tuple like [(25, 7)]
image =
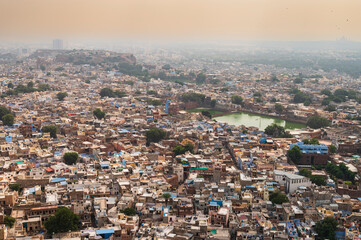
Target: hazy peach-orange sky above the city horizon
[(181, 19)]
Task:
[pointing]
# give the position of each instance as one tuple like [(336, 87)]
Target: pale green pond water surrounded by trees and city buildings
[(255, 120)]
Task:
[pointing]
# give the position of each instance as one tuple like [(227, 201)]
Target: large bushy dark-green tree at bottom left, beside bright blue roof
[(63, 220)]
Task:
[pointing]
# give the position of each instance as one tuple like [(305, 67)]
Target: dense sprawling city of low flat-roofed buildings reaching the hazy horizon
[(177, 144)]
